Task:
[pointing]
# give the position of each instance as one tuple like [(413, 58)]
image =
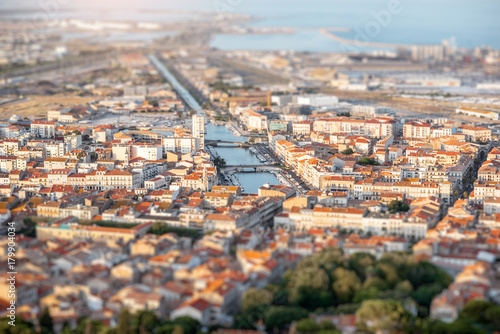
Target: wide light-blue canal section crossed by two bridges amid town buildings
[(239, 156)]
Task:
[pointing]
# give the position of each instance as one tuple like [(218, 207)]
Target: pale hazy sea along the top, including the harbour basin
[(469, 23)]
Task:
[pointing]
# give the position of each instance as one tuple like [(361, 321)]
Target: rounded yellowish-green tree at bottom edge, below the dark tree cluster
[(381, 315)]
